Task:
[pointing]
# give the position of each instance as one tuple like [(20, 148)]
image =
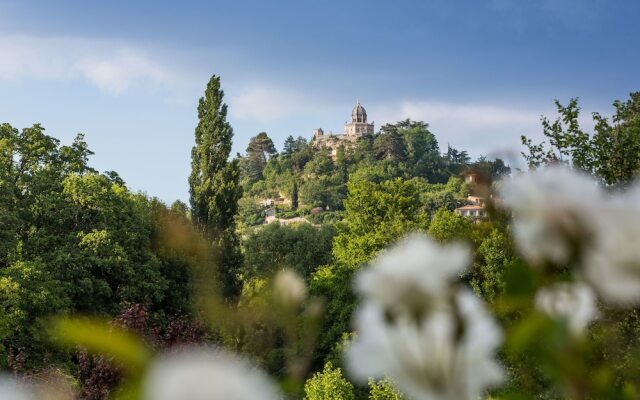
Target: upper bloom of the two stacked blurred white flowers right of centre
[(416, 269)]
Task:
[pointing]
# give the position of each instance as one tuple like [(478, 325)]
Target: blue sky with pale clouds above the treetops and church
[(480, 72)]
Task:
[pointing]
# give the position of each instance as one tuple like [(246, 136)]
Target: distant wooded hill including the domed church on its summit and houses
[(308, 181)]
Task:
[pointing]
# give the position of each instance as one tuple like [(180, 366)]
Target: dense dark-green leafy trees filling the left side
[(75, 241)]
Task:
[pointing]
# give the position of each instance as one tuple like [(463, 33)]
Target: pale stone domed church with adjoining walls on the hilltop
[(357, 128)]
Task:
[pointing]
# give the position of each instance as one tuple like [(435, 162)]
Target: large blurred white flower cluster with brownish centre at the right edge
[(560, 214)]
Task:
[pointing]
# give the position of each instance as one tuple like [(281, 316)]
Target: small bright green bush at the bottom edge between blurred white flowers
[(328, 385)]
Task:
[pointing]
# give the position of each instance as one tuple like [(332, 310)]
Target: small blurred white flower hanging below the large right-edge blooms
[(574, 302)]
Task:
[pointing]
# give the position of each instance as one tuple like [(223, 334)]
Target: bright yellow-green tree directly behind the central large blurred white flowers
[(377, 214)]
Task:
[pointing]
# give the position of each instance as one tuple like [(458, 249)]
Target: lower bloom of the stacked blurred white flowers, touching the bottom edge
[(447, 354)]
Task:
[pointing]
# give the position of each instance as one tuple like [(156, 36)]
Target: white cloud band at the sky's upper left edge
[(111, 66)]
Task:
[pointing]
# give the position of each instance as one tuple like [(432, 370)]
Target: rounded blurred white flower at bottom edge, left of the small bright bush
[(203, 373)]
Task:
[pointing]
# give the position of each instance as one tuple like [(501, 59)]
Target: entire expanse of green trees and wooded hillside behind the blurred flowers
[(76, 241)]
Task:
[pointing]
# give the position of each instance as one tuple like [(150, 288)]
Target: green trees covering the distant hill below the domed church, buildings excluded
[(310, 176)]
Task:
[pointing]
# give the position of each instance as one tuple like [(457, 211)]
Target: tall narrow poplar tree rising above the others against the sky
[(214, 184)]
